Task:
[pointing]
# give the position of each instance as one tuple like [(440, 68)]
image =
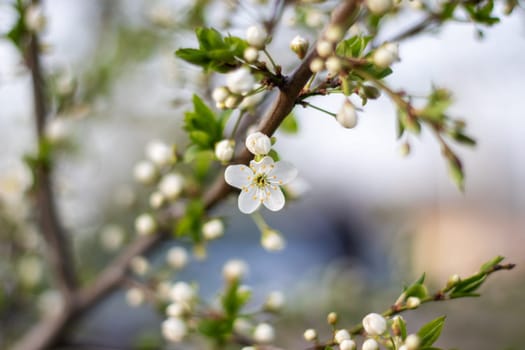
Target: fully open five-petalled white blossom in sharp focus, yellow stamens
[(260, 183)]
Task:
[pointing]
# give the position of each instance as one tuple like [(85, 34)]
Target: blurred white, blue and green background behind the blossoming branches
[(368, 221)]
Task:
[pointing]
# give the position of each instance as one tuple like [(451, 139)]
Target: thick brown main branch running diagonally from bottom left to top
[(48, 332)]
